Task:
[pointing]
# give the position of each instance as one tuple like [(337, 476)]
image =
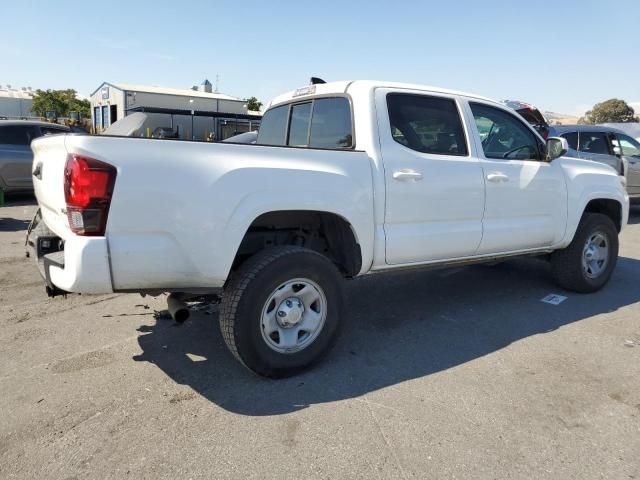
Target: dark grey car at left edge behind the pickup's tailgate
[(15, 153)]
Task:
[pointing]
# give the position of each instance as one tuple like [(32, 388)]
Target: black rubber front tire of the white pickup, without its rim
[(566, 264)]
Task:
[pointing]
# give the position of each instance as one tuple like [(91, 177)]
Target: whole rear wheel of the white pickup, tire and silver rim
[(281, 310)]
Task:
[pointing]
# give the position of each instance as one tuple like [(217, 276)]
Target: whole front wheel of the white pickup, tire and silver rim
[(587, 263)]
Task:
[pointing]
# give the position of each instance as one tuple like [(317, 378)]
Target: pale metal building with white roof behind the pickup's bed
[(198, 113)]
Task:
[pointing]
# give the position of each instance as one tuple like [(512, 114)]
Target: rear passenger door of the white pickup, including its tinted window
[(434, 185)]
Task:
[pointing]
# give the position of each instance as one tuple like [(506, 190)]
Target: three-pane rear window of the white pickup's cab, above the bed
[(323, 122)]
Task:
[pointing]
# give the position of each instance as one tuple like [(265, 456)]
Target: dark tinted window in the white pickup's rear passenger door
[(426, 124)]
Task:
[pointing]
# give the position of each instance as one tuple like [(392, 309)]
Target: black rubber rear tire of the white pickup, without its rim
[(245, 297)]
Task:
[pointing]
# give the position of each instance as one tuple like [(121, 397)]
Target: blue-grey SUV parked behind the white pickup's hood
[(605, 145)]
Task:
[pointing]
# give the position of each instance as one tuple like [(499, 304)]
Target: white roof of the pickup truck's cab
[(344, 86)]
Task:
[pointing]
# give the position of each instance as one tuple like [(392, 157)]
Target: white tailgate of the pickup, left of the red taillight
[(49, 159)]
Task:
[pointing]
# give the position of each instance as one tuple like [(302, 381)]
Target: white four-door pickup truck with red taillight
[(346, 179)]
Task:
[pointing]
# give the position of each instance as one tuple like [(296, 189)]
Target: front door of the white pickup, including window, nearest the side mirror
[(526, 199)]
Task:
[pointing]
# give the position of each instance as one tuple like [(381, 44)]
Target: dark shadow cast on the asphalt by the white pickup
[(399, 326)]
